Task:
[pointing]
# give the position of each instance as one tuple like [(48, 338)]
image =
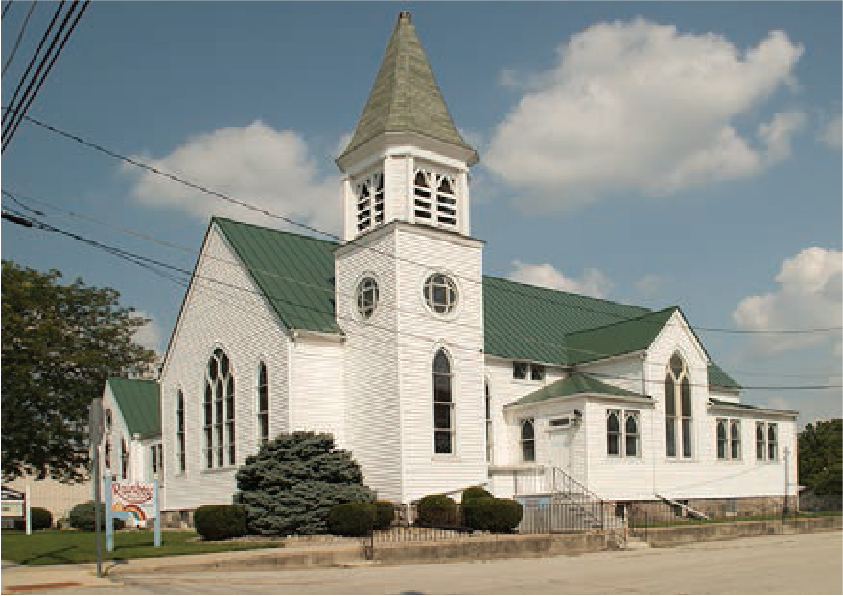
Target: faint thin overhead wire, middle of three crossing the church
[(334, 292)]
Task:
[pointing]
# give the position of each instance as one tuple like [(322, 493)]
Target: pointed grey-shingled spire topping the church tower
[(405, 96)]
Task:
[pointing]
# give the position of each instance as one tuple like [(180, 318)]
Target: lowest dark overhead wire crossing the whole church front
[(148, 262)]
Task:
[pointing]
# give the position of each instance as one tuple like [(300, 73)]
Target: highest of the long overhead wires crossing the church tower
[(266, 212)]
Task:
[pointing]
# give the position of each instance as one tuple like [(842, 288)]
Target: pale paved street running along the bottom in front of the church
[(790, 564)]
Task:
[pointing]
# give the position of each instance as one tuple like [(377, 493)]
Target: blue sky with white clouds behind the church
[(652, 153)]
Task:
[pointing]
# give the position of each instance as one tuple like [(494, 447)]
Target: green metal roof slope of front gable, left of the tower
[(295, 273)]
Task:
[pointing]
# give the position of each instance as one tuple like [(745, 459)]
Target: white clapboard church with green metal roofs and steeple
[(433, 375)]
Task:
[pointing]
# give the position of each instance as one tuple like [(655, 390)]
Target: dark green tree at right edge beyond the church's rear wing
[(821, 457)]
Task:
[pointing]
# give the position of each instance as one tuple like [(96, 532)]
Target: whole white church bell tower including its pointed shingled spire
[(408, 290)]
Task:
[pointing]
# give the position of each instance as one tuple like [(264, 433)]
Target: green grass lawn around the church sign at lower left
[(53, 547)]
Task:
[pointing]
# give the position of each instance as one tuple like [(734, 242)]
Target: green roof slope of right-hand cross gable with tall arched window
[(616, 338)]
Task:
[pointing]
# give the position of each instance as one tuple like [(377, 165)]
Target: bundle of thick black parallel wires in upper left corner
[(17, 111)]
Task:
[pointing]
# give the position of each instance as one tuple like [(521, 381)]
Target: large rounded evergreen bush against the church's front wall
[(291, 484)]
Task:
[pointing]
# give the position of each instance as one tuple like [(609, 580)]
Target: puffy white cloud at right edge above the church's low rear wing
[(809, 296)]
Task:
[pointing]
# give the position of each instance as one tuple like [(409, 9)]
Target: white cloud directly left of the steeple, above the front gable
[(254, 164)]
